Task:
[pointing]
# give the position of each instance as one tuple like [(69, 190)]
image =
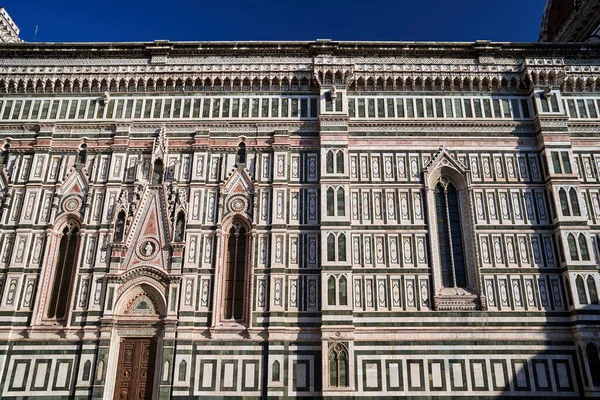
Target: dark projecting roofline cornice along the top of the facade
[(306, 48)]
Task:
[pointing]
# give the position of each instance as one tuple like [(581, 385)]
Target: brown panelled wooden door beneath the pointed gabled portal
[(135, 371)]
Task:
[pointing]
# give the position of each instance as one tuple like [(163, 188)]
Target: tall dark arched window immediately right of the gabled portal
[(233, 304)]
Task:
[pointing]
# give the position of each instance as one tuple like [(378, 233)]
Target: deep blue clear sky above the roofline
[(201, 20)]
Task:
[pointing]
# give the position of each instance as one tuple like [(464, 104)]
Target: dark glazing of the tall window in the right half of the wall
[(449, 236)]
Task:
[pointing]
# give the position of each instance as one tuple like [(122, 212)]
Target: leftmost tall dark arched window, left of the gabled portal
[(63, 274)]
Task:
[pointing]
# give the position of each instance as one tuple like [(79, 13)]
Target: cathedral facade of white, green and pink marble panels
[(299, 219)]
